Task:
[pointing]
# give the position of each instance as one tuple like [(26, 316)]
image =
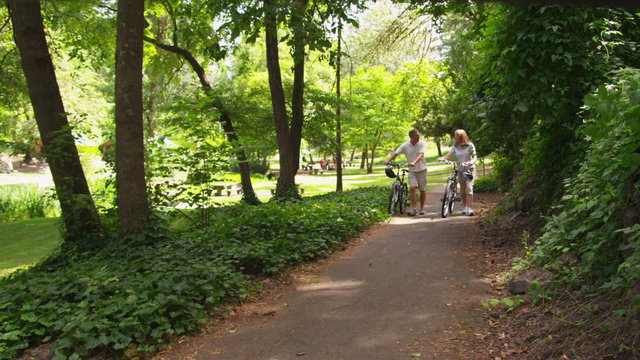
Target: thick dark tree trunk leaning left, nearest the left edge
[(79, 214)]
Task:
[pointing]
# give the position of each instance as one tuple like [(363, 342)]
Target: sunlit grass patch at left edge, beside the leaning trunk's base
[(25, 242)]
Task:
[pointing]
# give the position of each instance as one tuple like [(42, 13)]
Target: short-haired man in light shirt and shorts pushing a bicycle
[(414, 151)]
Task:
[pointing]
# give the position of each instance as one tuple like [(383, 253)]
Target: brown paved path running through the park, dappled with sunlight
[(396, 295)]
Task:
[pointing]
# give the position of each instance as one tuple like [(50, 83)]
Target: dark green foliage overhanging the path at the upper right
[(537, 64)]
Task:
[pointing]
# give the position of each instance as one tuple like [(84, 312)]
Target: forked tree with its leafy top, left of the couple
[(305, 24)]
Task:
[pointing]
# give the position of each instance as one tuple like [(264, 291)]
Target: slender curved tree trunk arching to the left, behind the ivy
[(248, 194)]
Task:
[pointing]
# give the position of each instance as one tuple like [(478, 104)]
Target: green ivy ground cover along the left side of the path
[(136, 292)]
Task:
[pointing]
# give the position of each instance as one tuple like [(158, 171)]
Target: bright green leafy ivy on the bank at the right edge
[(597, 219)]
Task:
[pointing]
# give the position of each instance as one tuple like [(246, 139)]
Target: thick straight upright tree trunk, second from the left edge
[(130, 174)]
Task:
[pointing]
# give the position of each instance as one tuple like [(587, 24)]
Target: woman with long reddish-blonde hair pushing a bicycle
[(465, 153)]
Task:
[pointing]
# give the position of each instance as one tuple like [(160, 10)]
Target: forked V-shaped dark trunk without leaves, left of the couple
[(285, 187)]
